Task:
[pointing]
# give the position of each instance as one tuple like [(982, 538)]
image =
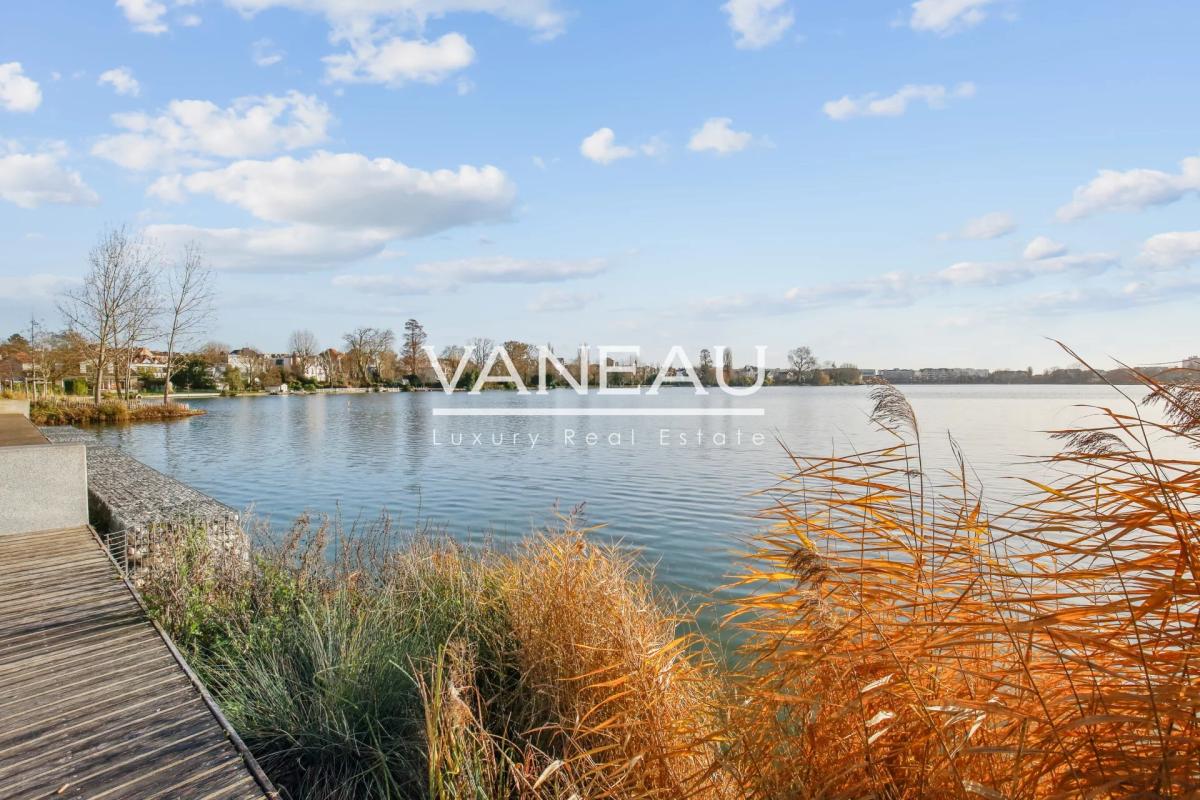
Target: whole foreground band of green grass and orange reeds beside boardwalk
[(891, 636)]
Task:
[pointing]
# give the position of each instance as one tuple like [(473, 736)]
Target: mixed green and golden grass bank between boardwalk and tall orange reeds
[(412, 667)]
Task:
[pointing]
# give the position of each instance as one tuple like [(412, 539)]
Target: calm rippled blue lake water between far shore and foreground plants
[(683, 503)]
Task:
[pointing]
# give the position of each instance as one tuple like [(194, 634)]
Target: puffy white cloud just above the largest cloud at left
[(190, 133)]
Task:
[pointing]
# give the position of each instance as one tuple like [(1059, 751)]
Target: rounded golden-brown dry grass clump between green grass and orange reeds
[(632, 706)]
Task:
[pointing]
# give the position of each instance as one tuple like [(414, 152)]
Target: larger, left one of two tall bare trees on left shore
[(113, 298)]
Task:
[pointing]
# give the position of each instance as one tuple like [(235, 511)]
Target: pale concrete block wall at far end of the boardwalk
[(43, 488)]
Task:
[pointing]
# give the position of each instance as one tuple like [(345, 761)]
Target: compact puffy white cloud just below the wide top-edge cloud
[(395, 62)]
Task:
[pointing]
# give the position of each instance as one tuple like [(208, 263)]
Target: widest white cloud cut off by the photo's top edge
[(542, 16)]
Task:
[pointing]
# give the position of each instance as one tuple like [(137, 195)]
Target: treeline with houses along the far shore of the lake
[(137, 323)]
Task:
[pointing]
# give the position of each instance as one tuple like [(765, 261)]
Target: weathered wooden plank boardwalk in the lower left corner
[(93, 701)]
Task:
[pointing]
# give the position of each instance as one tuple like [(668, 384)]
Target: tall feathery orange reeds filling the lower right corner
[(902, 643)]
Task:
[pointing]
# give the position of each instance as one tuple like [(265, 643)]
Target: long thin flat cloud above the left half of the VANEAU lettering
[(449, 276)]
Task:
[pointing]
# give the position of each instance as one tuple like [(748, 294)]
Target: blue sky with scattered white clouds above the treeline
[(892, 184)]
